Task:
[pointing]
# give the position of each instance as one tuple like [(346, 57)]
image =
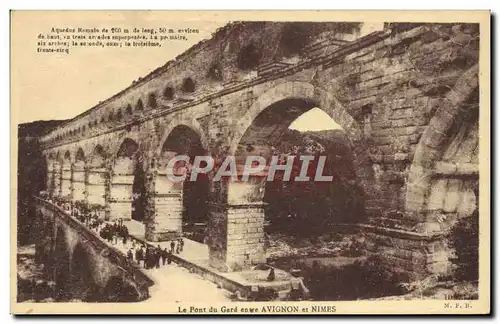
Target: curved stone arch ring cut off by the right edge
[(435, 139)]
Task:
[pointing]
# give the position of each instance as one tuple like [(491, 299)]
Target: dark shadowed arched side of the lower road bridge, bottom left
[(81, 264)]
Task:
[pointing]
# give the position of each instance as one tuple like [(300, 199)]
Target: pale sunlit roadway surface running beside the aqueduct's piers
[(189, 278)]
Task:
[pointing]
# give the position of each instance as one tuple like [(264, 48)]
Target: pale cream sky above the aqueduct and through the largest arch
[(48, 86)]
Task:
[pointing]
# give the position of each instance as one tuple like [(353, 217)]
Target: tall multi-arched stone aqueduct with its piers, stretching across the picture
[(406, 96)]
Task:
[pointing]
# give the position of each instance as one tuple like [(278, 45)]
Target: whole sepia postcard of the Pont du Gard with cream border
[(246, 162)]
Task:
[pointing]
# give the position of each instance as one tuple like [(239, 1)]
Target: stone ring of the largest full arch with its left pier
[(240, 207)]
